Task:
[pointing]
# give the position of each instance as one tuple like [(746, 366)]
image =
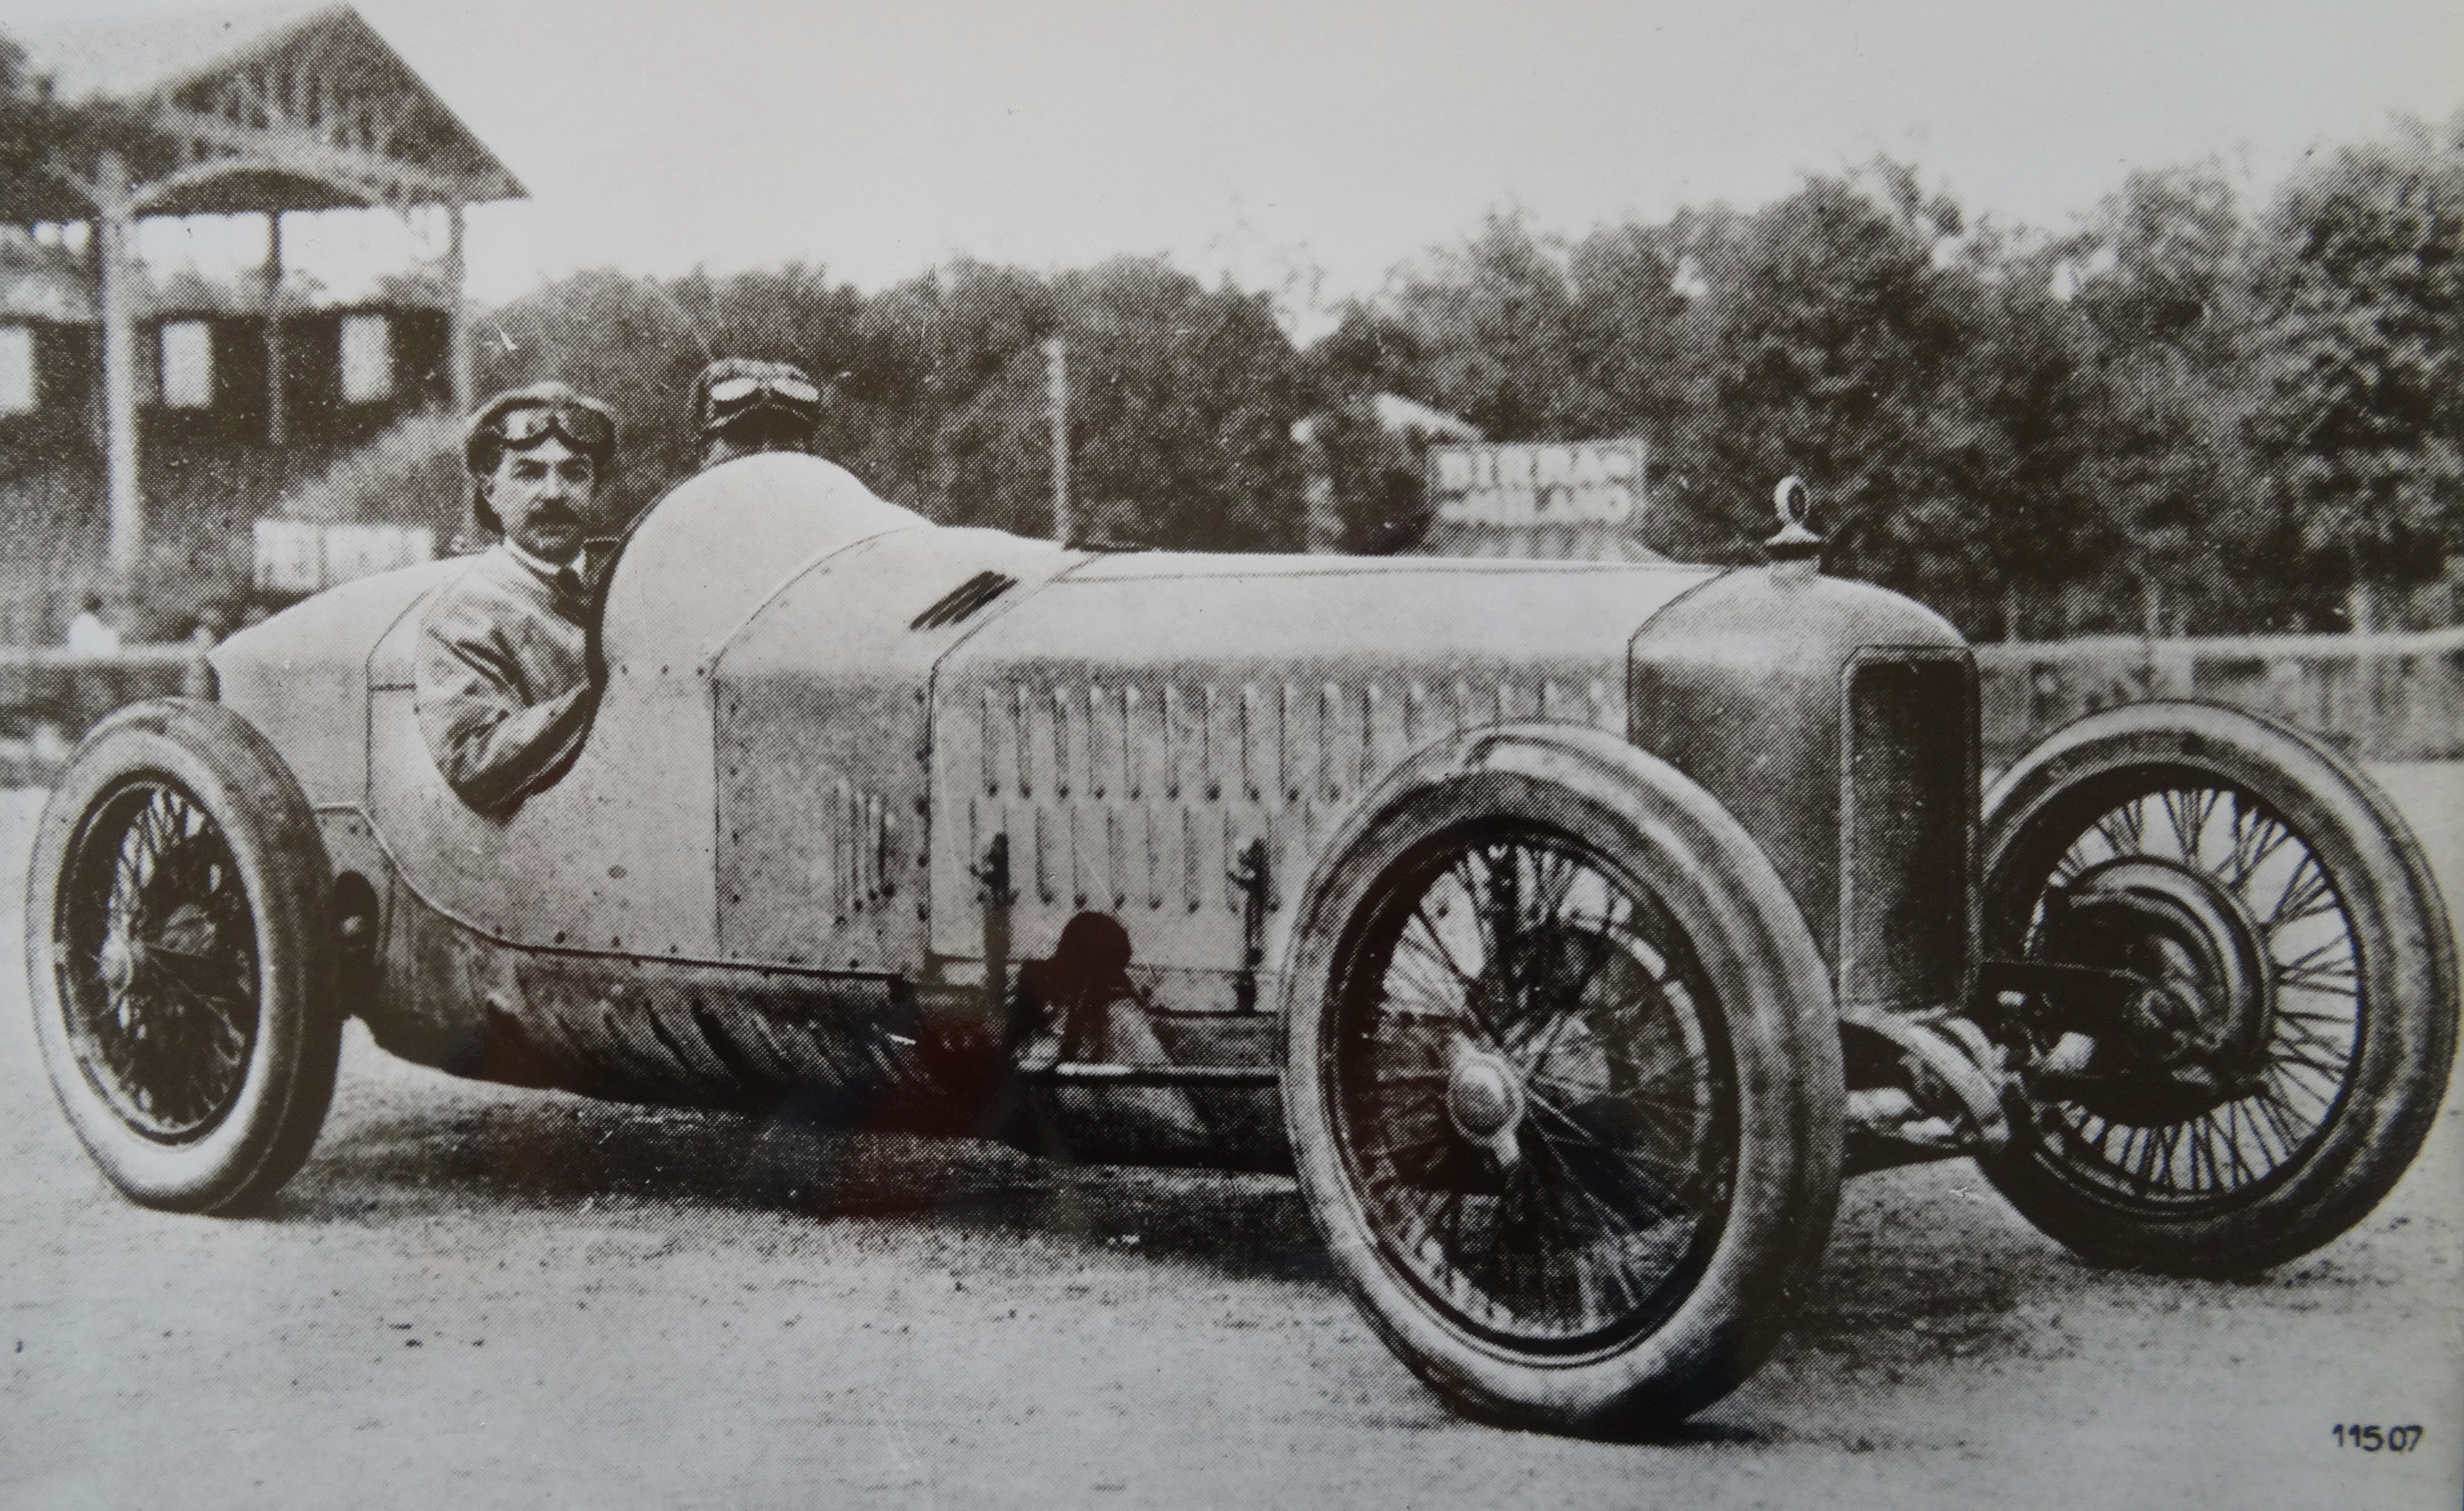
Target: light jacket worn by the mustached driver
[(504, 679)]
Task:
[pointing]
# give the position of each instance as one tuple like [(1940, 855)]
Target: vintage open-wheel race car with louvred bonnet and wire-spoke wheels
[(1571, 931)]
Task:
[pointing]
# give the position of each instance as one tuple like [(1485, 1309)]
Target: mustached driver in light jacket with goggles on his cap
[(504, 689)]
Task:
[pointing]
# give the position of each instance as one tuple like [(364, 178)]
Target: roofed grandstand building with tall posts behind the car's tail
[(159, 433)]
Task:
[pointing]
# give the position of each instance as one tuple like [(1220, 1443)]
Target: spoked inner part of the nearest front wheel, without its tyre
[(1531, 1103)]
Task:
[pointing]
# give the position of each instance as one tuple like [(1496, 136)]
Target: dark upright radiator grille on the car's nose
[(1911, 817)]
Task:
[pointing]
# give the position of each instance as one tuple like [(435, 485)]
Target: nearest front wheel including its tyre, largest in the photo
[(1563, 1083)]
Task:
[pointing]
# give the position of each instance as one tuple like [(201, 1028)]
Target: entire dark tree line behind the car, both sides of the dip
[(2187, 415)]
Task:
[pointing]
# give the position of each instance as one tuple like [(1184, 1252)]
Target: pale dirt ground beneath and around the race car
[(489, 1298)]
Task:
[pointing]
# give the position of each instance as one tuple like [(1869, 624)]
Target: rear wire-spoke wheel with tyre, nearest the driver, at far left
[(181, 958)]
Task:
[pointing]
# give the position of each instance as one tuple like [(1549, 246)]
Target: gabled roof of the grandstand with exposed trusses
[(272, 107)]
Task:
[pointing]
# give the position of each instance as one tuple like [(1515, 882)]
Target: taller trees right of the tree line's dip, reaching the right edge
[(2177, 418)]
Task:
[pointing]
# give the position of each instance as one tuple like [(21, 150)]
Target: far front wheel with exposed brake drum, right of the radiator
[(2290, 1044)]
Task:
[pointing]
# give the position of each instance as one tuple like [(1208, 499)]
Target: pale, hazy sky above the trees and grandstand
[(1312, 147)]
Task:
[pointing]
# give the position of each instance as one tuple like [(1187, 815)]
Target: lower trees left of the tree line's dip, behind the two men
[(1181, 398)]
